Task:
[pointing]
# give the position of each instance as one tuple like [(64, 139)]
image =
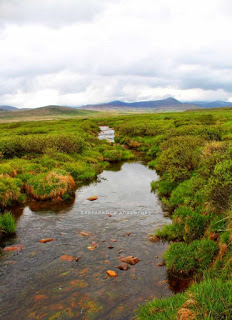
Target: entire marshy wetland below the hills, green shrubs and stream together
[(50, 169)]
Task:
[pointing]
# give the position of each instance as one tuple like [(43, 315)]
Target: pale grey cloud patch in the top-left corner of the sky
[(50, 12)]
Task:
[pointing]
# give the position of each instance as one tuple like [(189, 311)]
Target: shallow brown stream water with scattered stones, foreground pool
[(37, 284)]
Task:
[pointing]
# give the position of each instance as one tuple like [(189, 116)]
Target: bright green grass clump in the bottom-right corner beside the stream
[(209, 300)]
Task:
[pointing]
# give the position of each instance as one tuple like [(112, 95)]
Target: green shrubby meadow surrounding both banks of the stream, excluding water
[(192, 153)]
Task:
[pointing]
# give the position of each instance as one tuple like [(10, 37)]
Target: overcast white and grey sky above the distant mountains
[(75, 52)]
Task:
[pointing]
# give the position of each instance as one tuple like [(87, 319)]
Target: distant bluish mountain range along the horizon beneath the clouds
[(165, 104)]
